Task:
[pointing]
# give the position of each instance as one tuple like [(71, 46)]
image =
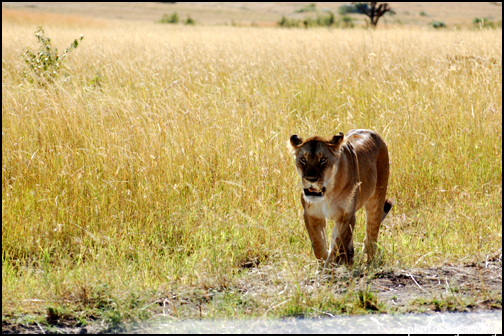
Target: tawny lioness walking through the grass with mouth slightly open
[(340, 175)]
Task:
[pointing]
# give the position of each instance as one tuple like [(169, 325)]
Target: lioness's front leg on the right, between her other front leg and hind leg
[(341, 250)]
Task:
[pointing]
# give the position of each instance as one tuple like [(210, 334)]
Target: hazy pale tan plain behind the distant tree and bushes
[(269, 13)]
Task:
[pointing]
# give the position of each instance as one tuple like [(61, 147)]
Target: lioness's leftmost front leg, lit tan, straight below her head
[(315, 225)]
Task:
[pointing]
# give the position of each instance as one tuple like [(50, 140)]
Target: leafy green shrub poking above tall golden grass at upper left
[(46, 63)]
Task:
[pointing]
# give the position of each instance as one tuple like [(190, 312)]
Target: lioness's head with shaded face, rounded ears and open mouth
[(316, 161)]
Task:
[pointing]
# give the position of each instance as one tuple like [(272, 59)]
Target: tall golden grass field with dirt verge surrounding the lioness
[(150, 180)]
